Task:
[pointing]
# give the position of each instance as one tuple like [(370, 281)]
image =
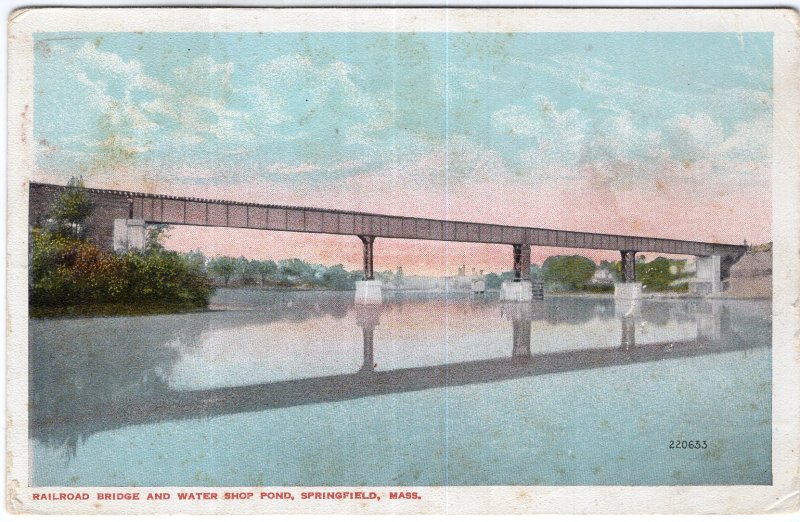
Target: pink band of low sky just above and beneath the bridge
[(677, 204)]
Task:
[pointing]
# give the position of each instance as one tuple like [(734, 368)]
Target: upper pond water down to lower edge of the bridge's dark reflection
[(273, 351)]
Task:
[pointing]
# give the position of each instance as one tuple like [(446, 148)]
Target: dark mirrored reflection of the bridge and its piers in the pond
[(76, 402)]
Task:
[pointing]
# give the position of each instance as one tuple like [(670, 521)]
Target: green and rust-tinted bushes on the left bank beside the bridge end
[(67, 271)]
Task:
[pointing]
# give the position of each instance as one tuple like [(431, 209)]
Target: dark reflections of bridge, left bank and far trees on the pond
[(123, 378)]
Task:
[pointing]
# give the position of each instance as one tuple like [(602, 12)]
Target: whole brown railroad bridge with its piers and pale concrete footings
[(119, 219)]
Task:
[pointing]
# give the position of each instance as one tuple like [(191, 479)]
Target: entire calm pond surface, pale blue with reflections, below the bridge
[(305, 388)]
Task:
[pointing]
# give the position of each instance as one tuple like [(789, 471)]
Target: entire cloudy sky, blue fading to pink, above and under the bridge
[(665, 134)]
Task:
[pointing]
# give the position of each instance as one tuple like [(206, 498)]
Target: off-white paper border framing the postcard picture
[(780, 497)]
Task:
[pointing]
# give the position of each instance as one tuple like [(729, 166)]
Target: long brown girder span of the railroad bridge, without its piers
[(172, 210)]
